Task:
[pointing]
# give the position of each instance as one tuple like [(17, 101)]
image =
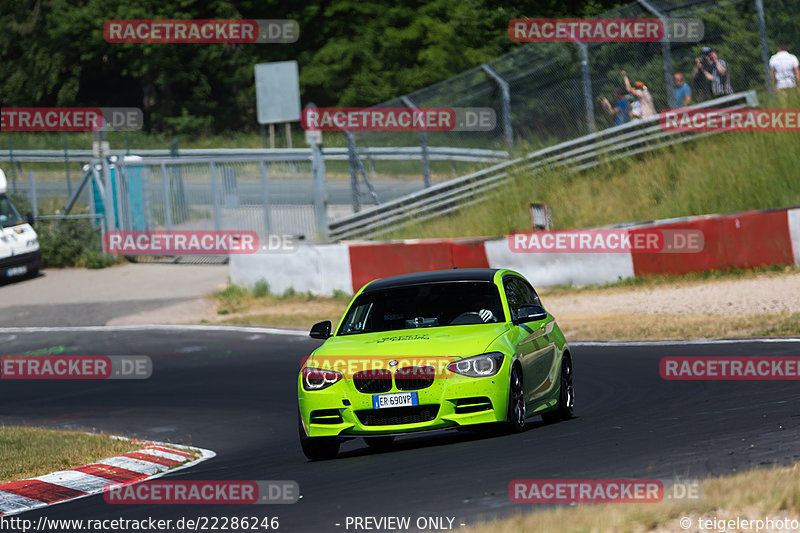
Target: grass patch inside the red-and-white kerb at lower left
[(28, 451)]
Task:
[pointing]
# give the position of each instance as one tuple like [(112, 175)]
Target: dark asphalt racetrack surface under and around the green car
[(233, 391)]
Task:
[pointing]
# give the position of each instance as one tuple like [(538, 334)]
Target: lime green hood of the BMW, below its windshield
[(454, 341)]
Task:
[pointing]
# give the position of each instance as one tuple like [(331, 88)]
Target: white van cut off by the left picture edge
[(20, 254)]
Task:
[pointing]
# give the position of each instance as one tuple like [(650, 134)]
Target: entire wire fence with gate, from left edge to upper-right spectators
[(542, 94)]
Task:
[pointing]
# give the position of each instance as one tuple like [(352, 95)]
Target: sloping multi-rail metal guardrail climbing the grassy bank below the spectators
[(579, 154)]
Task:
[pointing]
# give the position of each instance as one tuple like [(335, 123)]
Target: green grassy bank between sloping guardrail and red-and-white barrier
[(724, 173)]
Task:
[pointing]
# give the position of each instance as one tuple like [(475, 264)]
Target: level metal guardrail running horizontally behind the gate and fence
[(473, 155)]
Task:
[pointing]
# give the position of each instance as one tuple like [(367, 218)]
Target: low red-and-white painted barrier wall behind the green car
[(742, 240)]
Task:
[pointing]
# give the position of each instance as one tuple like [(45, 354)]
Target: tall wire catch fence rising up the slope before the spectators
[(554, 89)]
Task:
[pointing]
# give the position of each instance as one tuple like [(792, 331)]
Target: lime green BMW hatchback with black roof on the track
[(430, 351)]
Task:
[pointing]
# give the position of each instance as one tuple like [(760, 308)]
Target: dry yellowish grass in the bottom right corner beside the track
[(753, 495)]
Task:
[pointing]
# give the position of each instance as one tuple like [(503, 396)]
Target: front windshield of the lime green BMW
[(424, 306)]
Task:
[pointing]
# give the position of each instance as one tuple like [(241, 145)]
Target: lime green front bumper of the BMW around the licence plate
[(342, 410)]
